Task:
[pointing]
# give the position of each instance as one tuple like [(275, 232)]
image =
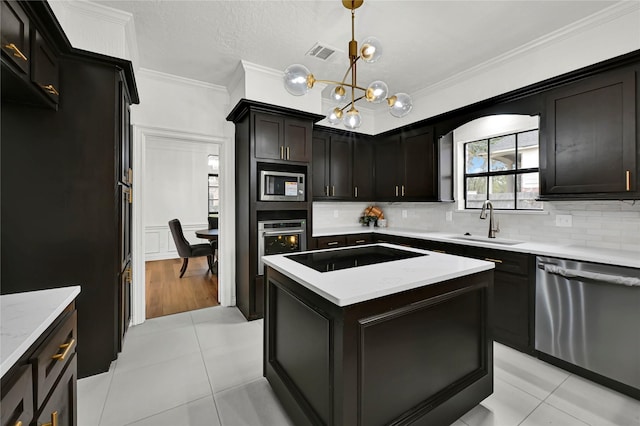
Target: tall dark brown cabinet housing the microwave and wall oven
[(267, 137)]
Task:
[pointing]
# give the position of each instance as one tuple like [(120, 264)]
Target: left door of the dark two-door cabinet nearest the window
[(387, 163)]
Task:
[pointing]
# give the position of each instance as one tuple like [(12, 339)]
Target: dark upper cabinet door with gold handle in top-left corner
[(15, 36)]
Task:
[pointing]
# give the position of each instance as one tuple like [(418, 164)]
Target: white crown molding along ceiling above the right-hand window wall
[(618, 10)]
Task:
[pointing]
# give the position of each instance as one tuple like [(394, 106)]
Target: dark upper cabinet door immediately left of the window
[(419, 165)]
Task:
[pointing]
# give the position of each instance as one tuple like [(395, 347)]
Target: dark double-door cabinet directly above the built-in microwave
[(279, 138)]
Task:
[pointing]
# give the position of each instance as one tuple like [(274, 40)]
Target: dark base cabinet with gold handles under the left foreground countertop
[(41, 388)]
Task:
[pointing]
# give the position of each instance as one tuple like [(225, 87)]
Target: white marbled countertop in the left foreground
[(25, 316)]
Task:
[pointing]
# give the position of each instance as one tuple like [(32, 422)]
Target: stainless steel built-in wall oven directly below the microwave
[(279, 237)]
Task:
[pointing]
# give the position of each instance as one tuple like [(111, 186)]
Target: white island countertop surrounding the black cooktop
[(348, 286)]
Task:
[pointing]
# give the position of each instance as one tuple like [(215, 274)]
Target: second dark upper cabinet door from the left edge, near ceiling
[(44, 68)]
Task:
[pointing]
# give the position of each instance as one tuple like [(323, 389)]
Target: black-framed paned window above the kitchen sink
[(502, 169)]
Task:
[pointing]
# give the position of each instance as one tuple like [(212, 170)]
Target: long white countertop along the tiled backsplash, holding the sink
[(572, 252)]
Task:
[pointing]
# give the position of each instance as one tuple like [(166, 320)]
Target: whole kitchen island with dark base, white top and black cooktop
[(350, 341)]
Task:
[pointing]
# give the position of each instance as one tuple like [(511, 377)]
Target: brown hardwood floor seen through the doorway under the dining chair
[(167, 294)]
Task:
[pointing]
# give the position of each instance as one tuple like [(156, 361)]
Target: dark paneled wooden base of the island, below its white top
[(422, 356)]
